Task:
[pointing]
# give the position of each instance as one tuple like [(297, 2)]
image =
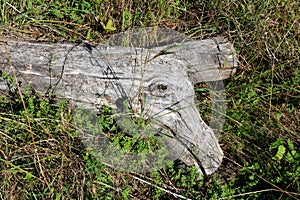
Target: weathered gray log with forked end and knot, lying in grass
[(156, 83)]
